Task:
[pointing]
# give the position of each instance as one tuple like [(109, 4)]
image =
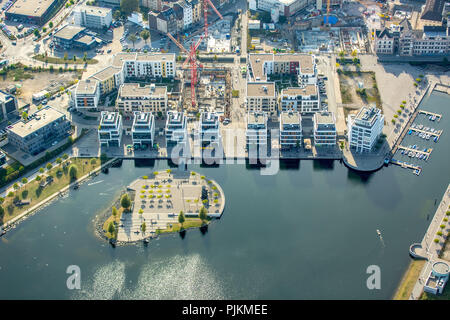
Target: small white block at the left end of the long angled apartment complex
[(86, 94)]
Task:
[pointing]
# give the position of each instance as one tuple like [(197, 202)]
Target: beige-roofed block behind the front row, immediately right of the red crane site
[(262, 97)]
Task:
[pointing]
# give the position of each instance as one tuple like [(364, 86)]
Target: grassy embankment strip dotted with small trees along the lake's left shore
[(34, 193)]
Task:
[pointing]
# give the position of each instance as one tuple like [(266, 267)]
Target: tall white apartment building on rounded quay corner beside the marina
[(365, 128)]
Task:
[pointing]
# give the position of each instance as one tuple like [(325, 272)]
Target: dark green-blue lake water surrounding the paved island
[(308, 232)]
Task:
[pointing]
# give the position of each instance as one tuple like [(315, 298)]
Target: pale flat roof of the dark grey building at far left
[(36, 121)]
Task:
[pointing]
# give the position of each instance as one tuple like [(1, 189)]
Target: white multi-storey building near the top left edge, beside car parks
[(93, 17)]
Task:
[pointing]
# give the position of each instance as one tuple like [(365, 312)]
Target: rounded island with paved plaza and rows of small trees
[(163, 202)]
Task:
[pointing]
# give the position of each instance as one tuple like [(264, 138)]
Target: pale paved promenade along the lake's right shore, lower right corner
[(432, 249)]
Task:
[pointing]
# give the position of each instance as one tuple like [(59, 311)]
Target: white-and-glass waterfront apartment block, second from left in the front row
[(143, 129)]
